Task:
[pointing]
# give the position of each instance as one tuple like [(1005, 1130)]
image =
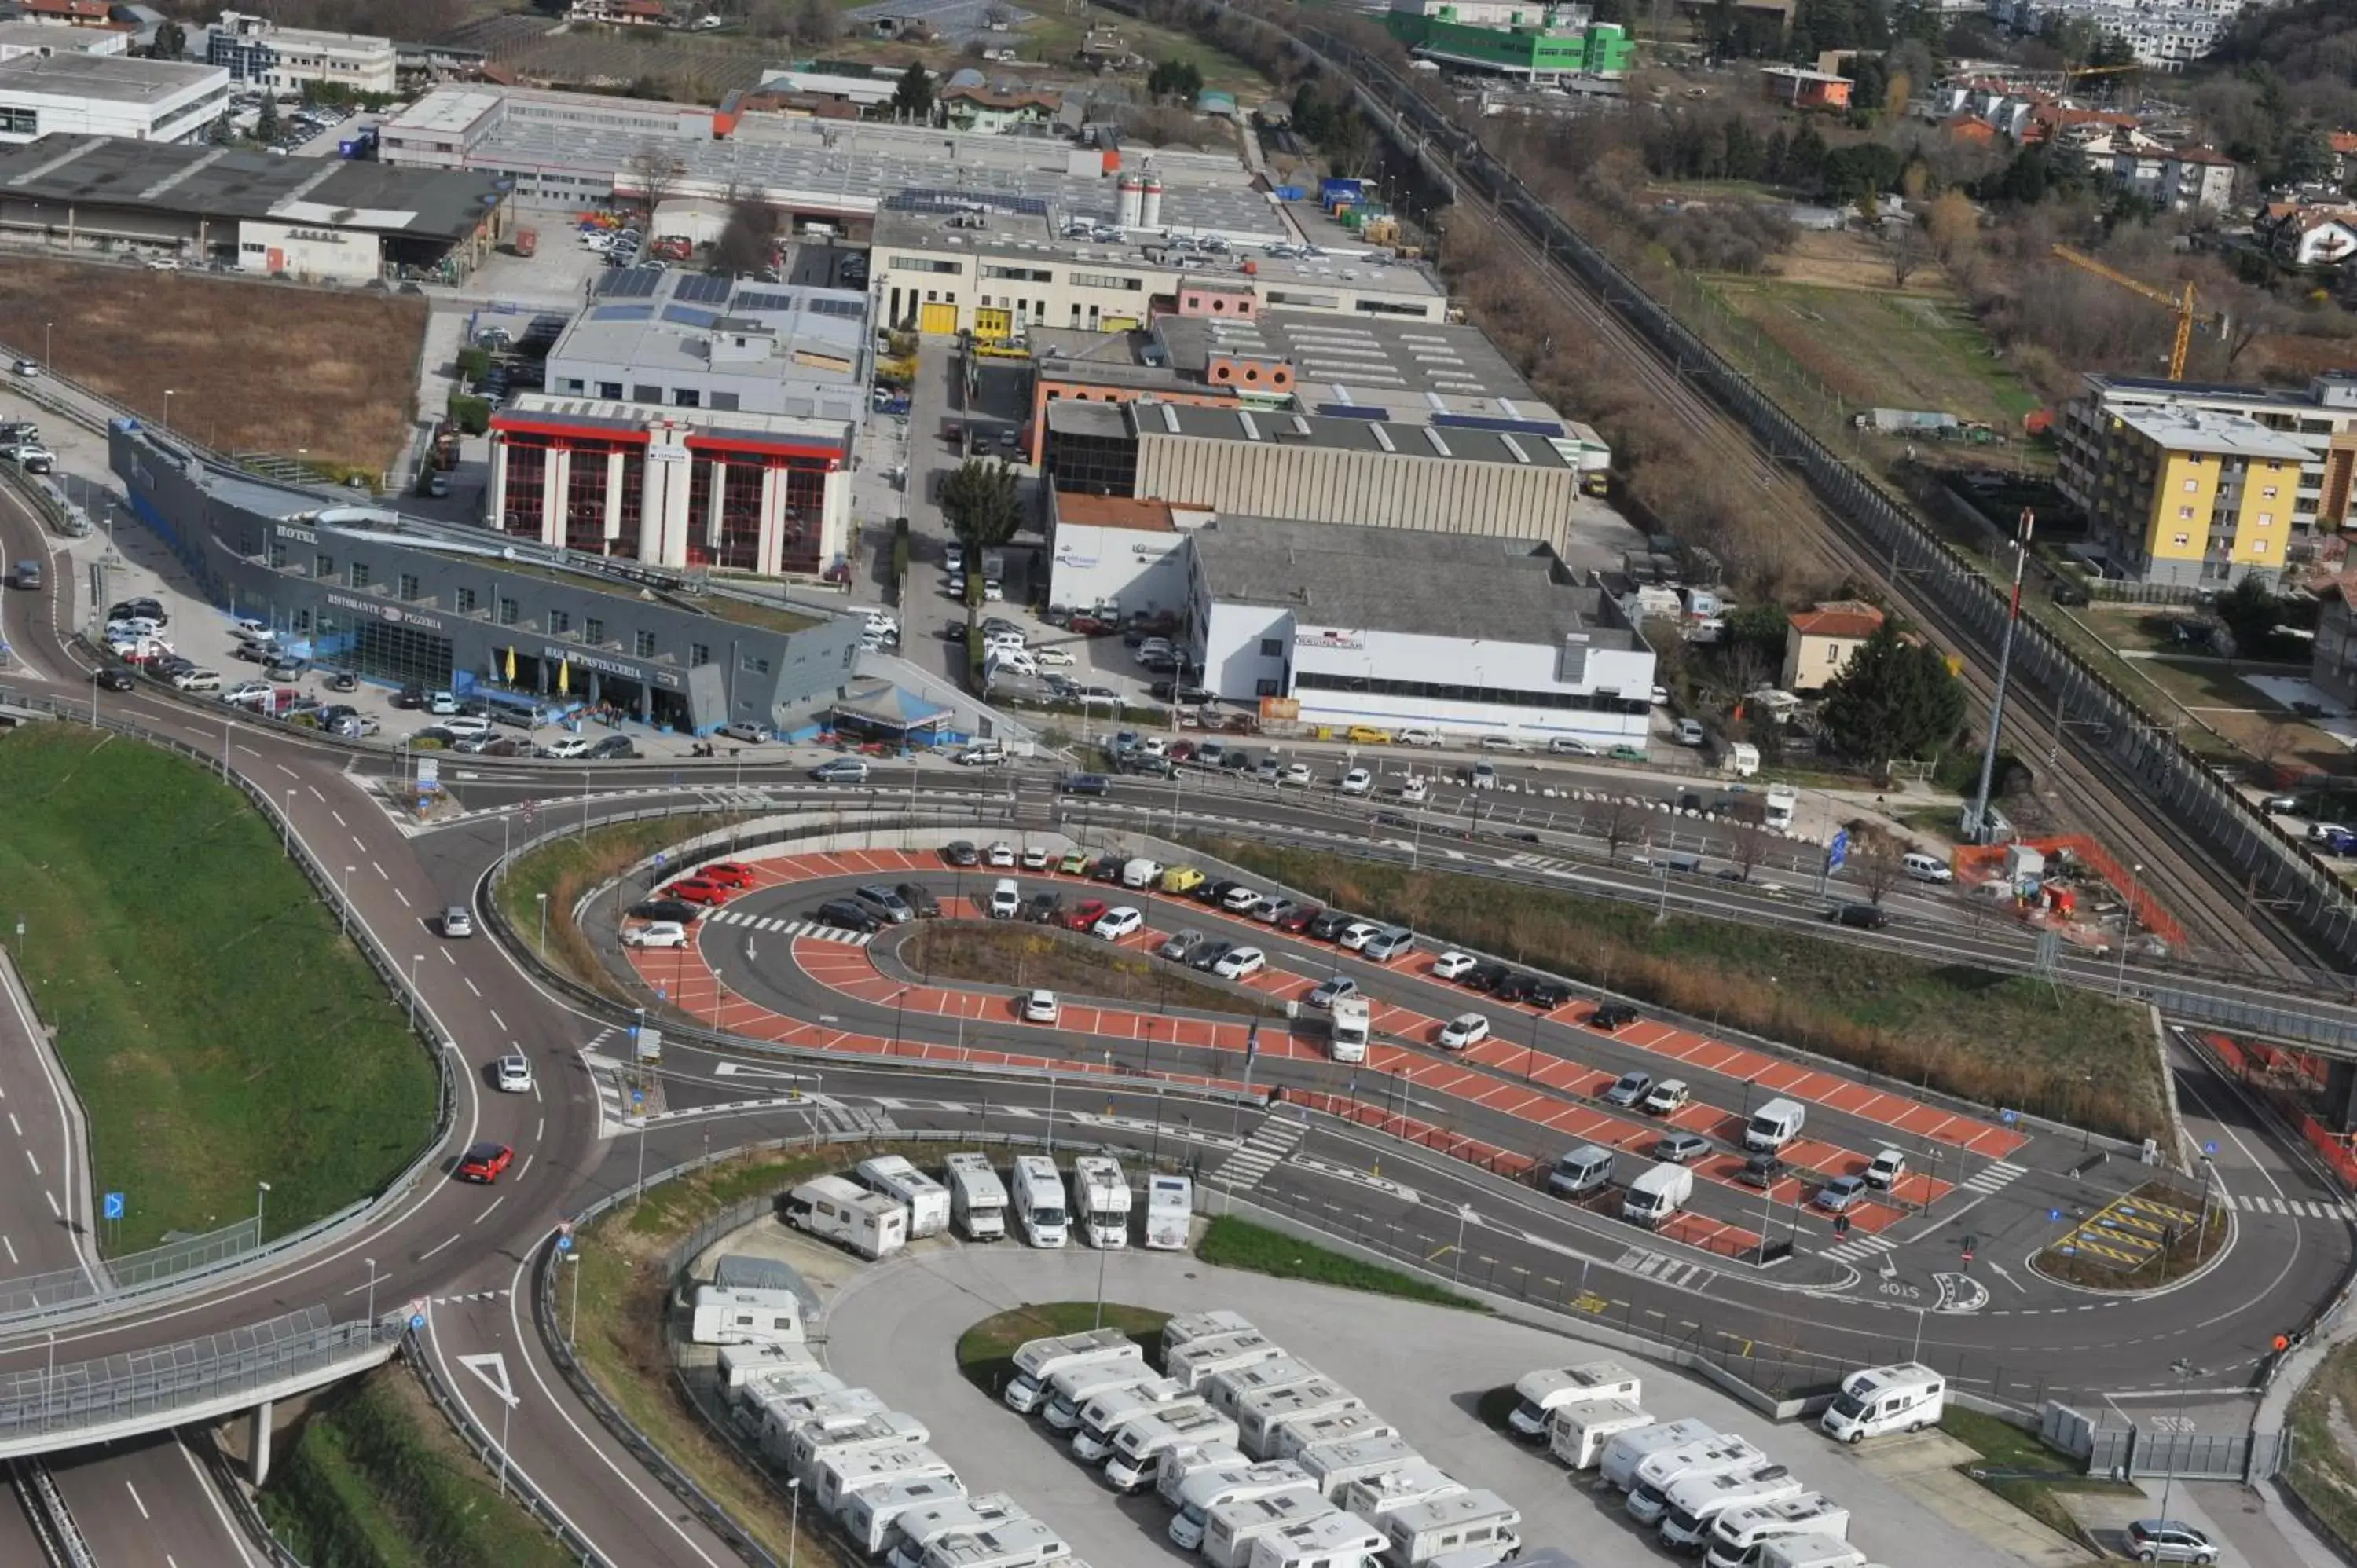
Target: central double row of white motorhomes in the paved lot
[(1265, 1461)]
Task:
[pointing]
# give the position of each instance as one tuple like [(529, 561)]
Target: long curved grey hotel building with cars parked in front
[(451, 610)]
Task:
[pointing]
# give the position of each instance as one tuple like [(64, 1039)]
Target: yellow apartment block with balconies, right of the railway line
[(2120, 449)]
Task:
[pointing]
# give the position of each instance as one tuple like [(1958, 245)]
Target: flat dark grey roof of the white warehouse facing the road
[(1406, 581)]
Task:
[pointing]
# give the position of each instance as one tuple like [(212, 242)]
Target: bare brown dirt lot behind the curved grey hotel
[(338, 376)]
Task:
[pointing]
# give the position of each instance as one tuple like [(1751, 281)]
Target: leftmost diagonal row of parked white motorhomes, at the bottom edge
[(869, 1470)]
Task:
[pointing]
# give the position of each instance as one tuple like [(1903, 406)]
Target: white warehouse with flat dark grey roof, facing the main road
[(1394, 628)]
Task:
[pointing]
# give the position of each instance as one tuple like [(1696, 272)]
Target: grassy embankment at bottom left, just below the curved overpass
[(376, 1480)]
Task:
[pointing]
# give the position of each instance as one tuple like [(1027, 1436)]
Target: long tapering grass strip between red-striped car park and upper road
[(1990, 1039)]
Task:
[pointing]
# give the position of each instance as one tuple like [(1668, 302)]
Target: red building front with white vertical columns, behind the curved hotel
[(673, 487)]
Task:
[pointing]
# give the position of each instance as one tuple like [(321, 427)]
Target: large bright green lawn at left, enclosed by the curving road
[(218, 1027)]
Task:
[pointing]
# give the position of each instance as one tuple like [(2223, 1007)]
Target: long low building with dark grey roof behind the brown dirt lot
[(338, 220)]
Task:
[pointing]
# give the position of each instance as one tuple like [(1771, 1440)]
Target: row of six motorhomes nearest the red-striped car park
[(887, 1204)]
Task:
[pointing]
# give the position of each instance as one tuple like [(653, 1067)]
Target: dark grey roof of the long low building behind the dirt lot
[(230, 183)]
